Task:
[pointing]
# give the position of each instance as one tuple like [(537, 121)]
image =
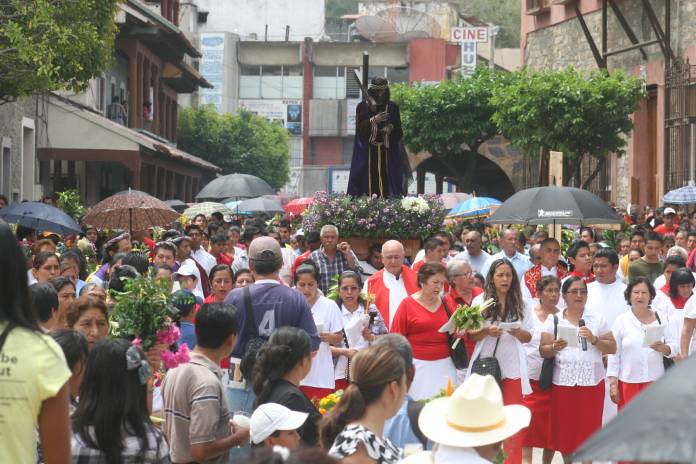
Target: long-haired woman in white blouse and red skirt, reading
[(505, 343)]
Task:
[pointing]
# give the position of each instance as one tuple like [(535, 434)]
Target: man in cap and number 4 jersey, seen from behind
[(273, 305)]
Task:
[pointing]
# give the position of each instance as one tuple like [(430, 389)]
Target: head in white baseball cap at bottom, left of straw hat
[(273, 424)]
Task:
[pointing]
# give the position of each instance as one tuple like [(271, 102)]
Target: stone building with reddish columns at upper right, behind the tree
[(654, 40)]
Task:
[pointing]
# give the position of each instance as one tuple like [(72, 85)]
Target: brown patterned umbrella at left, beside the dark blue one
[(130, 210)]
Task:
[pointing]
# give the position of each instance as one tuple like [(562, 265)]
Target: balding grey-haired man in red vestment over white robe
[(393, 283)]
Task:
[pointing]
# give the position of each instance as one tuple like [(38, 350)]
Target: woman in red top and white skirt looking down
[(418, 318)]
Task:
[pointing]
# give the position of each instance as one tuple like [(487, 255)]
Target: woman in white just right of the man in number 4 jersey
[(320, 380)]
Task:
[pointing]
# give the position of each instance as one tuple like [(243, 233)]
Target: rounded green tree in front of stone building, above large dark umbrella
[(568, 112)]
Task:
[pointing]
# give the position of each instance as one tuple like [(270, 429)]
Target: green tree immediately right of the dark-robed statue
[(450, 120)]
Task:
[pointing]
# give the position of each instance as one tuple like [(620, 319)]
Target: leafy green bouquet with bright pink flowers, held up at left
[(144, 314)]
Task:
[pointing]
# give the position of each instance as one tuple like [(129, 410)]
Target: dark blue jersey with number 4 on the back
[(274, 306)]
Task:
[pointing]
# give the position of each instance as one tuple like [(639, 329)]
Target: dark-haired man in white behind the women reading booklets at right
[(606, 296)]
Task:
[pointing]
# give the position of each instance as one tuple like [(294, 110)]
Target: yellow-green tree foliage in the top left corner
[(52, 44)]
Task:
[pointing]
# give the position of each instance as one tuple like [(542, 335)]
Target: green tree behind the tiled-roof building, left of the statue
[(243, 142)]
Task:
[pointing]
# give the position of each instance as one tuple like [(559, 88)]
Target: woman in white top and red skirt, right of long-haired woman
[(539, 401)]
